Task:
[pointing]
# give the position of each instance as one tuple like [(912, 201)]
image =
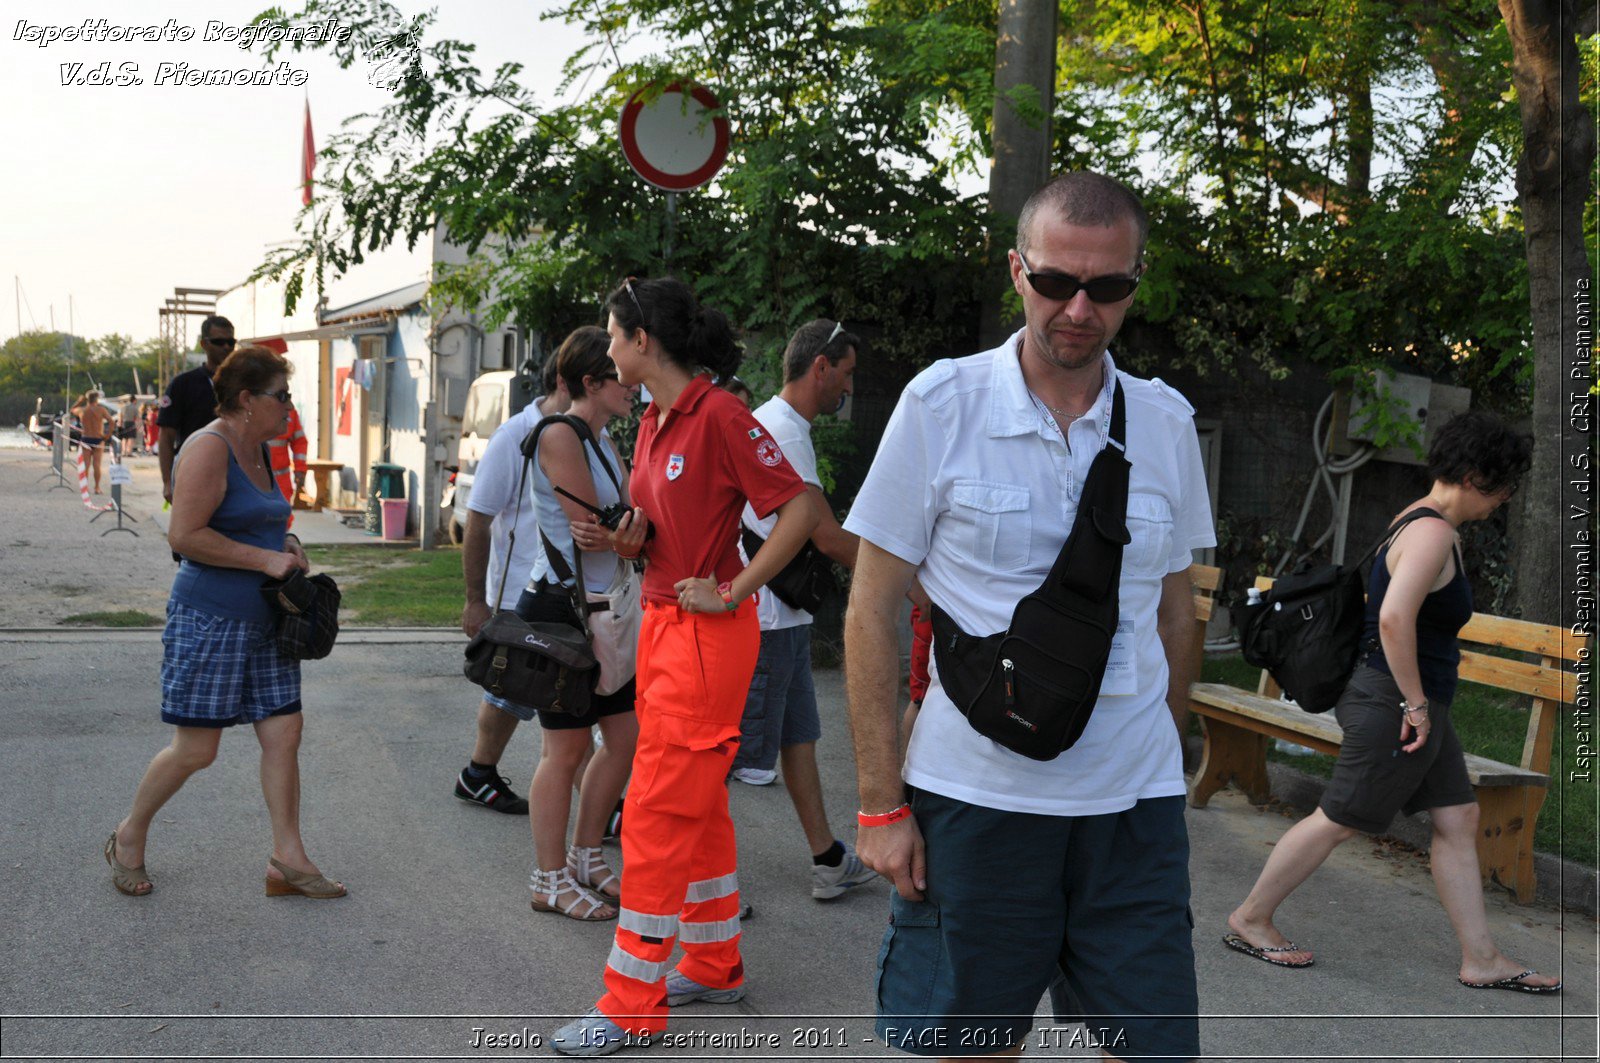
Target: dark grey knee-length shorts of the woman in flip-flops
[(1375, 777)]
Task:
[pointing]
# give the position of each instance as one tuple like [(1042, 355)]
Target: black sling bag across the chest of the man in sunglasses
[(1033, 686)]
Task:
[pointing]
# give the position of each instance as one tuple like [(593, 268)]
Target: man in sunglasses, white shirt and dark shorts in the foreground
[(1009, 870)]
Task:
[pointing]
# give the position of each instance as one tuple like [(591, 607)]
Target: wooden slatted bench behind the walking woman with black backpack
[(1238, 726)]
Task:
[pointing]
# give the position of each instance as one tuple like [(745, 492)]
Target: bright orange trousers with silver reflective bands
[(679, 852)]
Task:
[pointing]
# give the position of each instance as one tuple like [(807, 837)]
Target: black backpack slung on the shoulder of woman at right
[(1306, 628)]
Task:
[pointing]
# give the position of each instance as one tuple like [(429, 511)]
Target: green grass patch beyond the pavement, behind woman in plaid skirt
[(394, 588)]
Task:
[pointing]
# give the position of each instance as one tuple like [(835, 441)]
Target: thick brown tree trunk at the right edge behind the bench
[(1553, 180)]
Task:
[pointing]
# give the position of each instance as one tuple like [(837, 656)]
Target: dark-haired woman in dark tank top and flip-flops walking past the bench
[(1399, 750)]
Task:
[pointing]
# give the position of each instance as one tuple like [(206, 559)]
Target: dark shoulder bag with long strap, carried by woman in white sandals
[(546, 665)]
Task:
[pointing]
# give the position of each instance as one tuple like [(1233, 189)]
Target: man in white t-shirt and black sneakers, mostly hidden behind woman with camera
[(492, 515)]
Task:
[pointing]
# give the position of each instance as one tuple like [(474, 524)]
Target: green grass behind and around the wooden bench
[(1492, 724)]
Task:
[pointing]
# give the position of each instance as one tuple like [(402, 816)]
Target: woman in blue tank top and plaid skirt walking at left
[(220, 662)]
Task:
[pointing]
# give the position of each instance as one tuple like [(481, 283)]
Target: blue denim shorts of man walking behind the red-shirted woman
[(780, 708)]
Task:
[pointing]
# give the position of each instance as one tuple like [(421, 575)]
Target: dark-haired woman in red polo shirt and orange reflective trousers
[(698, 459)]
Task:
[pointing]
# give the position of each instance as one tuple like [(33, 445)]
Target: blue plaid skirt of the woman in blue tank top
[(220, 672)]
